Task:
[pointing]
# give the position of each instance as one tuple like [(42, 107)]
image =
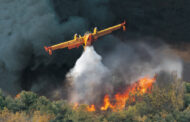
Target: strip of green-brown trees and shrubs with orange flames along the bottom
[(148, 102)]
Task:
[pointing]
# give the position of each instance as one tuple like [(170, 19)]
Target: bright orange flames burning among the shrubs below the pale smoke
[(144, 85)]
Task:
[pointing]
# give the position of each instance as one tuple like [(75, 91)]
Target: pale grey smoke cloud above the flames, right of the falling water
[(136, 59)]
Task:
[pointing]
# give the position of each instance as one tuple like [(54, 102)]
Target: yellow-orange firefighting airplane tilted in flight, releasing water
[(85, 40)]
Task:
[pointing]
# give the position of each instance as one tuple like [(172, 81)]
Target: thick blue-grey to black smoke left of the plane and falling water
[(26, 27)]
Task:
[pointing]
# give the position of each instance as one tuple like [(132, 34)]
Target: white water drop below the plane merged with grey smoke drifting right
[(93, 77)]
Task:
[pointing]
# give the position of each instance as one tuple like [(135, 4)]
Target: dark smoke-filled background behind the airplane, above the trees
[(27, 26)]
